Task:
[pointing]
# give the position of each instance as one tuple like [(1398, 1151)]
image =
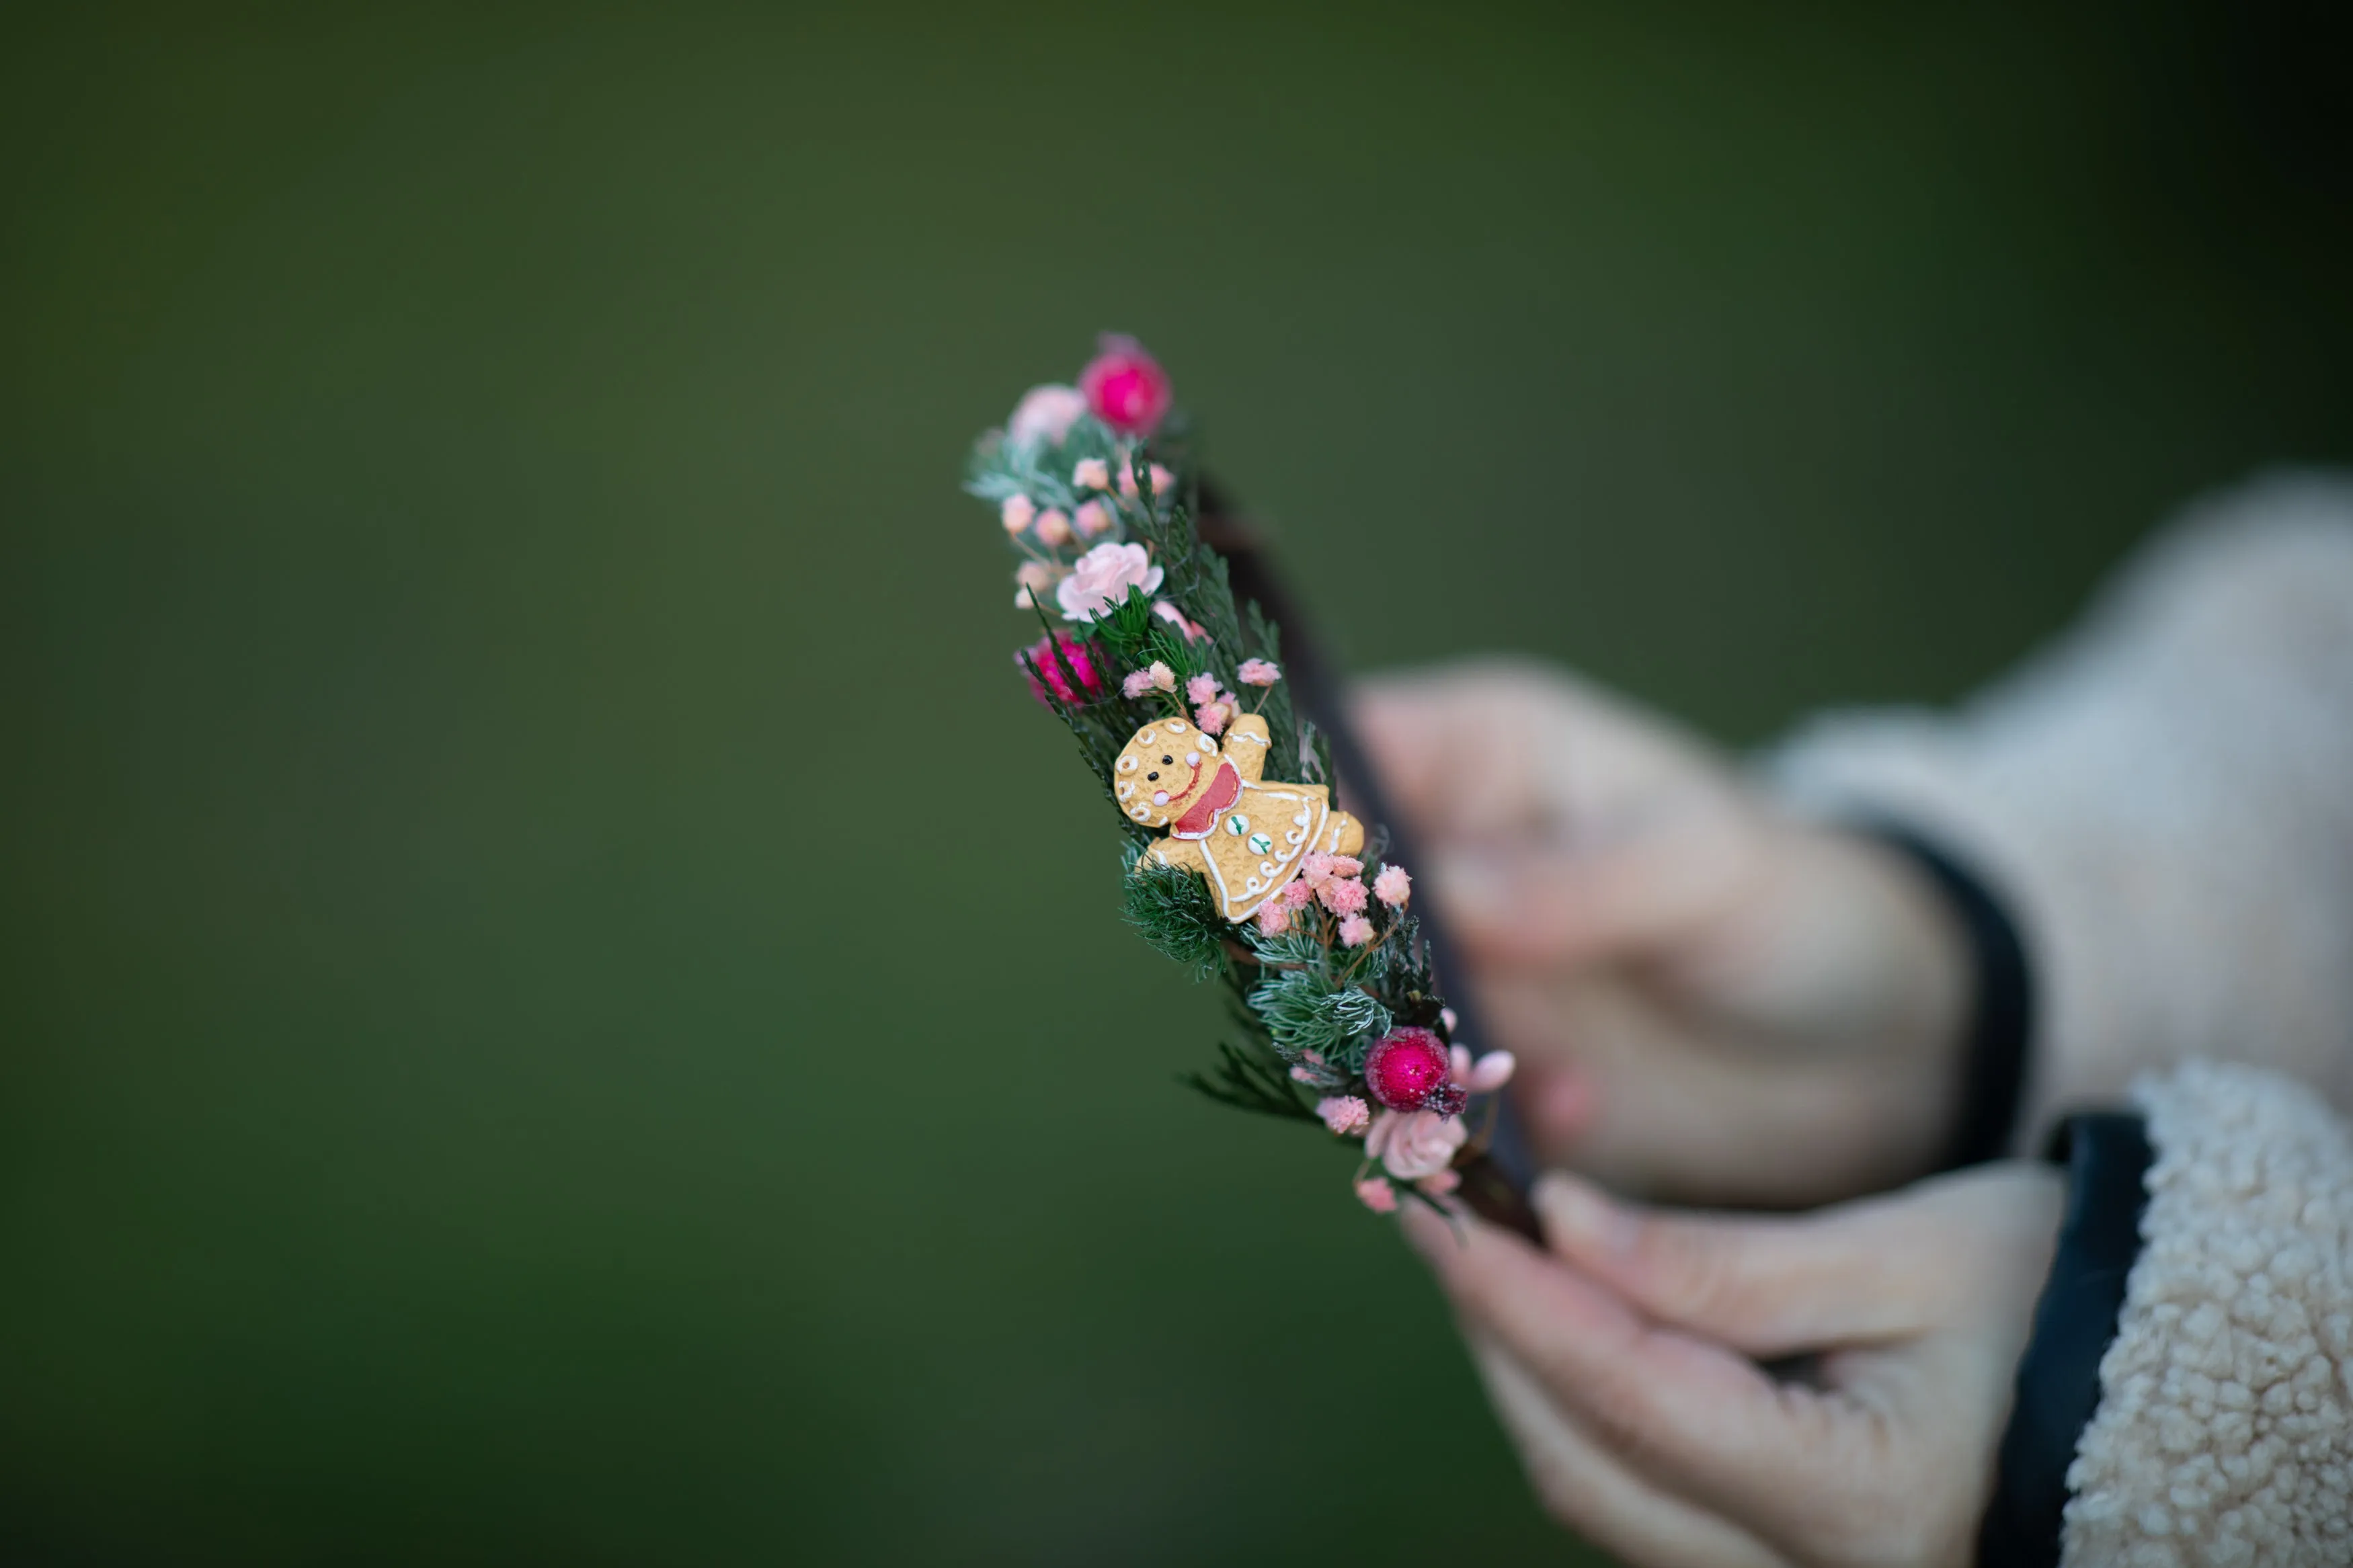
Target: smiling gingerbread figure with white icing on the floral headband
[(1248, 838)]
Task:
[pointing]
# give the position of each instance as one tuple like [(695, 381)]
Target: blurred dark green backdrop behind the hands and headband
[(502, 1061)]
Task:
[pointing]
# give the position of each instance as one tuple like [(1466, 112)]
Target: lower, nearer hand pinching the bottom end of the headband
[(1625, 1367)]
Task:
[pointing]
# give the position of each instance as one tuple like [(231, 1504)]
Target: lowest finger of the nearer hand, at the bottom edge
[(1597, 1496)]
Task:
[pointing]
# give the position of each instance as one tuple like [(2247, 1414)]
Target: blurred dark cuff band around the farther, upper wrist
[(2001, 1012)]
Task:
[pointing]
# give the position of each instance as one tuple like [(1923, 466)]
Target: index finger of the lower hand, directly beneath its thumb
[(1681, 1412)]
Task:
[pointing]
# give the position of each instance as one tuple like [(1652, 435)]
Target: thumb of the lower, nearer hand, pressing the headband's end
[(1764, 1285)]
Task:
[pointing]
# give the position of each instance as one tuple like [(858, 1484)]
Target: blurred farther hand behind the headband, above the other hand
[(1709, 1000)]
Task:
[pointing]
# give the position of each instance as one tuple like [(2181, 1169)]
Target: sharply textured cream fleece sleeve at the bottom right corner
[(2225, 1428)]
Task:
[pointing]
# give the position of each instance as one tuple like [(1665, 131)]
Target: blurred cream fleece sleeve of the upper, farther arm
[(2164, 800)]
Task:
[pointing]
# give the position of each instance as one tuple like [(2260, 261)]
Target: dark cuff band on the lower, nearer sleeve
[(2107, 1158)]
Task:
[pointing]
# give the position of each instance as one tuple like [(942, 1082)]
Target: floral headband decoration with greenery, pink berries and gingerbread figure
[(1237, 859)]
